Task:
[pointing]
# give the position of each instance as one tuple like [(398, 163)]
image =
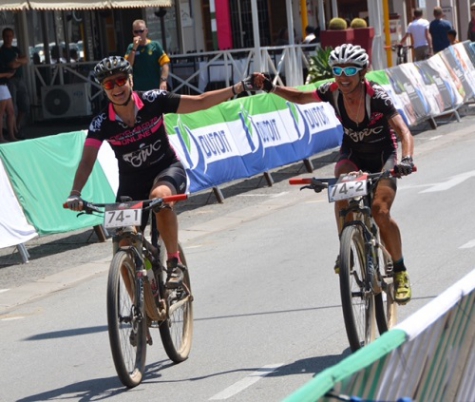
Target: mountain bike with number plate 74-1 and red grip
[(137, 298)]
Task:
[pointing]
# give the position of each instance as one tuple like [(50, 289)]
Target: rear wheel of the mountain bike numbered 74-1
[(177, 330)]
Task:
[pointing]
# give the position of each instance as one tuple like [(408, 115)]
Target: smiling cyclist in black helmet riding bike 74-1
[(133, 124)]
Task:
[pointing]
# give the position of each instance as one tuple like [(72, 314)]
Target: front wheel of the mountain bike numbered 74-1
[(126, 320)]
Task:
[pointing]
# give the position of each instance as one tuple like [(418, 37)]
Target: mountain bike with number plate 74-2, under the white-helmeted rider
[(366, 267)]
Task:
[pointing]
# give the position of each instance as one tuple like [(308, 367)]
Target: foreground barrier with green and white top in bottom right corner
[(430, 356)]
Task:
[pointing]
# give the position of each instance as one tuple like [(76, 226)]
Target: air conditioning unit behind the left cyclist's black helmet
[(72, 100)]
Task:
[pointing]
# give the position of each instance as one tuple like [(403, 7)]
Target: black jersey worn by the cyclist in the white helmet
[(373, 134)]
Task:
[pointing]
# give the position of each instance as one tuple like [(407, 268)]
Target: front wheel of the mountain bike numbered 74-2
[(357, 300)]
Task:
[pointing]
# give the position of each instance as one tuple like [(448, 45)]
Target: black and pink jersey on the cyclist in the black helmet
[(144, 148)]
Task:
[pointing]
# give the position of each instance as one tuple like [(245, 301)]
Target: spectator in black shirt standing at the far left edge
[(12, 58)]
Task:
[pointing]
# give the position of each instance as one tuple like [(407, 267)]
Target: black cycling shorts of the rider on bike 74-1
[(139, 186)]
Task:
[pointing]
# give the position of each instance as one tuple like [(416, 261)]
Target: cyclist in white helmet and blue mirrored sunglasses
[(370, 123)]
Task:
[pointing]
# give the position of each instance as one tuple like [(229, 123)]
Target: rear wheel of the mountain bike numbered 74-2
[(386, 307)]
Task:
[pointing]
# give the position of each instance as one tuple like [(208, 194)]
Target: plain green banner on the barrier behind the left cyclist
[(42, 172)]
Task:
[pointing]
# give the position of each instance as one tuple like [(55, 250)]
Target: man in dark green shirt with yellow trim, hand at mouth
[(149, 61)]
